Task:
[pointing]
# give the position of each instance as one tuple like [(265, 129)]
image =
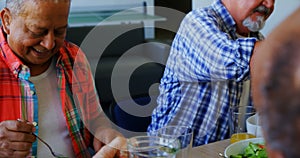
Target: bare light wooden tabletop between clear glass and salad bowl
[(211, 150)]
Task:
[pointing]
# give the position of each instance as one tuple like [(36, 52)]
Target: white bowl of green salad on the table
[(246, 148)]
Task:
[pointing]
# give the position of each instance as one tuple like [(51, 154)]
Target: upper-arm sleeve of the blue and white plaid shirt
[(203, 51)]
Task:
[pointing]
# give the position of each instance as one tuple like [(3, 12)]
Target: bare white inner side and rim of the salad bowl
[(238, 147)]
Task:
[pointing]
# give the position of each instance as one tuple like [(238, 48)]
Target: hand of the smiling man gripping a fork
[(16, 138)]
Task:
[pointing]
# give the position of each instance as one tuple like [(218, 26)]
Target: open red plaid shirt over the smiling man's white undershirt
[(76, 85)]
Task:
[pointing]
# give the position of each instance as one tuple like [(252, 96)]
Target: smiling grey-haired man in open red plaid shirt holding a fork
[(47, 80)]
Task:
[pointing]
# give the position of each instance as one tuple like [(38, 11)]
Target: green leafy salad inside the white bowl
[(253, 150)]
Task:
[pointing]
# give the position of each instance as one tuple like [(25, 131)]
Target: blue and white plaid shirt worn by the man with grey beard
[(204, 74)]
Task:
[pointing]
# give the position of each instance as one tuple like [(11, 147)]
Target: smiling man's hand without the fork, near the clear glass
[(109, 144)]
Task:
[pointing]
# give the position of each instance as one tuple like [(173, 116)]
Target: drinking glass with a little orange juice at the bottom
[(237, 122)]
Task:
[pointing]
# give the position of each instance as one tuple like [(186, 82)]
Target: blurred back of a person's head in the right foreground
[(276, 88)]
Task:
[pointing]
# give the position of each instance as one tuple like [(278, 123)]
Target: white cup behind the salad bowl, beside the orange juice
[(253, 126)]
